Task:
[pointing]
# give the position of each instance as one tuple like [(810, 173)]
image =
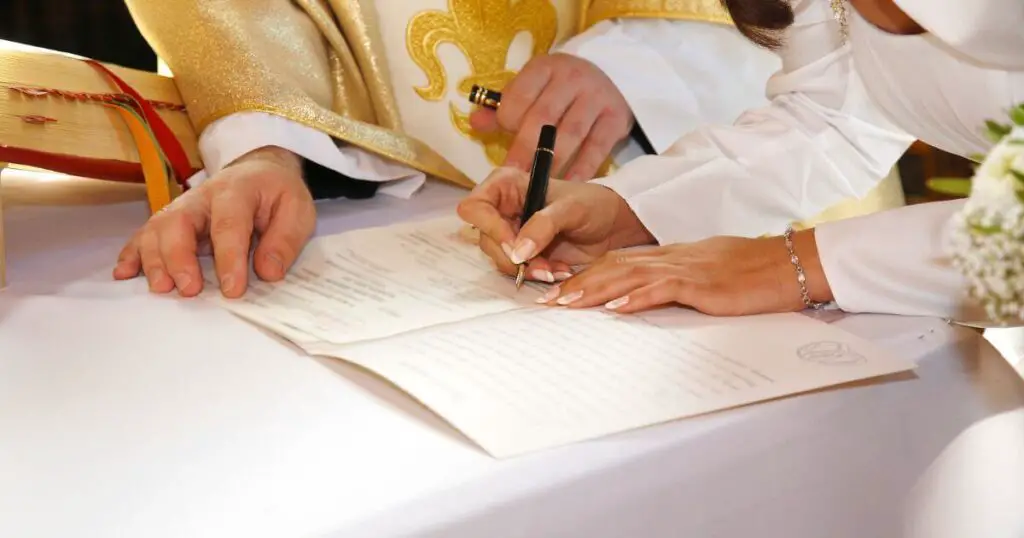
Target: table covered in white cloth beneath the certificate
[(130, 416)]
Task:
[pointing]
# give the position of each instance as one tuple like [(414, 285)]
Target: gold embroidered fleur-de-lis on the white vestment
[(484, 31)]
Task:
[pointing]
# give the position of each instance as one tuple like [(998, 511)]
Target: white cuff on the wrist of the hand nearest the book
[(232, 137)]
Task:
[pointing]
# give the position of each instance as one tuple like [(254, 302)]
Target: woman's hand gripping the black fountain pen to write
[(580, 223)]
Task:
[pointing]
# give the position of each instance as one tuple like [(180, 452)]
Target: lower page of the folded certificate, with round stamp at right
[(527, 381)]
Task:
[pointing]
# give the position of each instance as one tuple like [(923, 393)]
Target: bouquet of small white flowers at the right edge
[(989, 232)]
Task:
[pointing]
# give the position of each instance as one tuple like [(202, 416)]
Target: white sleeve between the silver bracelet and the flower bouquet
[(897, 262)]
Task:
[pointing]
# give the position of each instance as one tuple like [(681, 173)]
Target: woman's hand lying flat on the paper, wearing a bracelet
[(723, 276)]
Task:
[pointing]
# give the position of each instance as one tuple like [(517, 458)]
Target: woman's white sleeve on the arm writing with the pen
[(821, 141)]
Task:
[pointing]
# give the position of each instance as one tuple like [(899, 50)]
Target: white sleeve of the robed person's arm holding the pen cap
[(677, 75)]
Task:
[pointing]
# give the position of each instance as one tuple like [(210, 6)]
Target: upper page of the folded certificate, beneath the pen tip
[(380, 282)]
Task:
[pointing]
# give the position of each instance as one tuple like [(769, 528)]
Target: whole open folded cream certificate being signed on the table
[(420, 306)]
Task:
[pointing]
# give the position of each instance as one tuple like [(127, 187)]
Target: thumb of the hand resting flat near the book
[(287, 233)]
